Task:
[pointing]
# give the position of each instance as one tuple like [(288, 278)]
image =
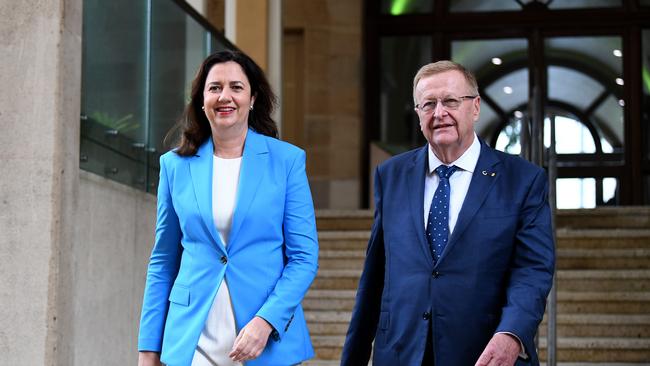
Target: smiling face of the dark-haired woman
[(227, 97)]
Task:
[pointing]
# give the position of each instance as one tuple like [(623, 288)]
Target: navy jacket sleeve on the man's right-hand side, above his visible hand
[(532, 267)]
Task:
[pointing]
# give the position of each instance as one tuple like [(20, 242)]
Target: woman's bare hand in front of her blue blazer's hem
[(251, 340)]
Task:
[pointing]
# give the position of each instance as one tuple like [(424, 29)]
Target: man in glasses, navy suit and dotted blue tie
[(460, 260)]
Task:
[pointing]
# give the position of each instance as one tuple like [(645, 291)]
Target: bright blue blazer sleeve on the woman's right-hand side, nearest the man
[(301, 251)]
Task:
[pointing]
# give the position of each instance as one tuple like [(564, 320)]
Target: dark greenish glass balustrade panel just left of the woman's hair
[(178, 45)]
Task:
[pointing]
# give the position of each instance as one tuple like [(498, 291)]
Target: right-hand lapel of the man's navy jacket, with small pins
[(481, 184)]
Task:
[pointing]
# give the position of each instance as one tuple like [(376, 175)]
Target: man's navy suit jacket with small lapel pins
[(493, 276)]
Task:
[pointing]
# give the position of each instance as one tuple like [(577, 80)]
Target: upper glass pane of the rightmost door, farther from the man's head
[(585, 83)]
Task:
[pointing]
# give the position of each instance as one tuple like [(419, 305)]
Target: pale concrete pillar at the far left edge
[(40, 54)]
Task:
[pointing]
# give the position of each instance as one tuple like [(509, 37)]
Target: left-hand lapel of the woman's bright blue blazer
[(201, 175)]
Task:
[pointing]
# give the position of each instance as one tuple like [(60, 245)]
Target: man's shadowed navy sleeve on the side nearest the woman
[(365, 315)]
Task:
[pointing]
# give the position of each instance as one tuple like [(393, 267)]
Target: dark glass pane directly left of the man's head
[(401, 58)]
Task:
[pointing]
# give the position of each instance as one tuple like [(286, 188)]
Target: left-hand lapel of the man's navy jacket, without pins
[(415, 188)]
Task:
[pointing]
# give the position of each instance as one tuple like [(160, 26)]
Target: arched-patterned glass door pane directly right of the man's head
[(497, 64)]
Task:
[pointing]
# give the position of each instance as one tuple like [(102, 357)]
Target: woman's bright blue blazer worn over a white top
[(269, 263)]
